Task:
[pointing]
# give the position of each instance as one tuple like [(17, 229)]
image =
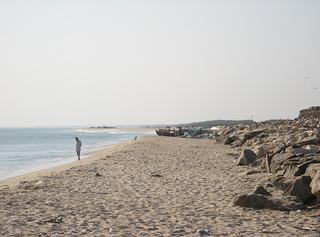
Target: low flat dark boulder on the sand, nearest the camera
[(259, 201)]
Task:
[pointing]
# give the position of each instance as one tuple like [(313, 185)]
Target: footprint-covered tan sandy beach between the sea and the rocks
[(156, 186)]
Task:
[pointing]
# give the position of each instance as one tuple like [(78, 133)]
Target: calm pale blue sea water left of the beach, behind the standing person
[(24, 150)]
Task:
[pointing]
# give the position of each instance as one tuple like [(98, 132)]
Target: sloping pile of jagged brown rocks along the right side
[(288, 151)]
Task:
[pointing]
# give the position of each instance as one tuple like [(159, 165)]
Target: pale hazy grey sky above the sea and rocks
[(137, 62)]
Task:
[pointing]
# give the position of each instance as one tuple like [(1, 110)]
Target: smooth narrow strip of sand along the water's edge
[(87, 159)]
